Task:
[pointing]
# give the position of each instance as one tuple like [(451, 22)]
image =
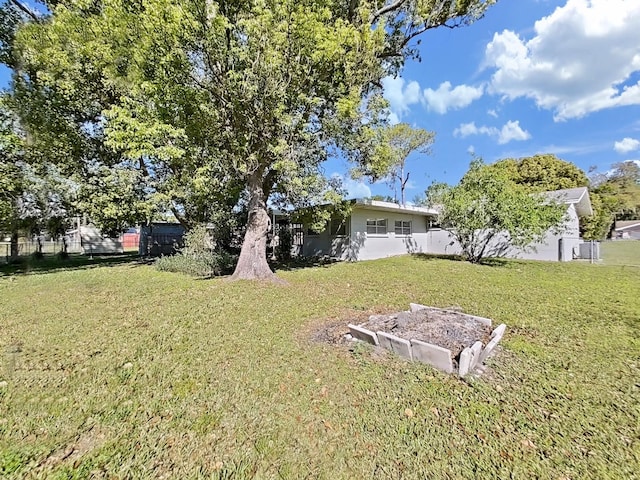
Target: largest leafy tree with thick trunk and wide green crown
[(220, 97)]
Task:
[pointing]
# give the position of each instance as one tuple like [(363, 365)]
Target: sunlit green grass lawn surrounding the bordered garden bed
[(121, 371)]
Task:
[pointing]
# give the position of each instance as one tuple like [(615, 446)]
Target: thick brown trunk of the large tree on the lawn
[(252, 264)]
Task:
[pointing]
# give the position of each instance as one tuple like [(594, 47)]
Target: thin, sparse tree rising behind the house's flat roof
[(397, 143)]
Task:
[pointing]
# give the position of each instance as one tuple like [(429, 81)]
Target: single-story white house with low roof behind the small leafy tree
[(378, 229)]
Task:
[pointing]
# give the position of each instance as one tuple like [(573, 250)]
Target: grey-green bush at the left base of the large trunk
[(197, 258)]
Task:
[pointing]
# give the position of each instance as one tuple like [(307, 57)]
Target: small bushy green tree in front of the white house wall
[(487, 213)]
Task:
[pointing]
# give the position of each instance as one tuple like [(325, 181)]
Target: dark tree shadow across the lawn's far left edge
[(53, 263)]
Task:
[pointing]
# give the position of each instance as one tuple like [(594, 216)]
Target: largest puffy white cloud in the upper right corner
[(577, 62)]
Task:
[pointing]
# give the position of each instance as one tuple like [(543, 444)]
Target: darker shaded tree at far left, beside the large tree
[(62, 140)]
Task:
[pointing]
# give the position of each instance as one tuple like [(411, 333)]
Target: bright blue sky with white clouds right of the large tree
[(532, 76)]
